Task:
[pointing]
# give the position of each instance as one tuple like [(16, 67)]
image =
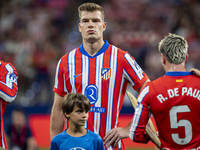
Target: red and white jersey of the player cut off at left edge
[(8, 92)]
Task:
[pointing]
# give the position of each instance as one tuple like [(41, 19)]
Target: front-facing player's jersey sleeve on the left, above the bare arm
[(59, 84)]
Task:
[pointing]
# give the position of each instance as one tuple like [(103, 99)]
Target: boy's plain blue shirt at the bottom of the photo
[(89, 141)]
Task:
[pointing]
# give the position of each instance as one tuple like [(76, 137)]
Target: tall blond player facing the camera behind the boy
[(101, 72)]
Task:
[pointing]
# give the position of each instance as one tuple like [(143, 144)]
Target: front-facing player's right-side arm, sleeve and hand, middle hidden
[(137, 78)]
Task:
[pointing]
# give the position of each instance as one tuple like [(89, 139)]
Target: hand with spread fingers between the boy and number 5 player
[(115, 135)]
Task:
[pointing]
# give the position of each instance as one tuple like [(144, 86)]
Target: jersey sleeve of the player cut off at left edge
[(8, 82)]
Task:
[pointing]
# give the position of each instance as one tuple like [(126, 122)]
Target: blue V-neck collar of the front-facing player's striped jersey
[(103, 49)]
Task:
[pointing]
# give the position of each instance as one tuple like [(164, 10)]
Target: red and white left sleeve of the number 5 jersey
[(141, 116)]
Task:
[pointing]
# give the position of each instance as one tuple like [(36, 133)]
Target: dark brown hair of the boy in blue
[(75, 99)]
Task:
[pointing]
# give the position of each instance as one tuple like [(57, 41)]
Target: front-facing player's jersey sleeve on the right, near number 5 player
[(136, 75)]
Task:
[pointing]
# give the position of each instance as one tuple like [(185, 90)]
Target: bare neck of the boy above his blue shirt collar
[(76, 131)]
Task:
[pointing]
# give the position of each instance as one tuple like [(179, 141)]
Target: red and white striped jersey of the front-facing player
[(103, 79)]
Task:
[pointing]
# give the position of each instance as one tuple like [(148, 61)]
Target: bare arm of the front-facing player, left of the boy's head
[(57, 120)]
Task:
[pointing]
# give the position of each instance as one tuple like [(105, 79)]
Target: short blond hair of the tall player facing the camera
[(90, 7)]
